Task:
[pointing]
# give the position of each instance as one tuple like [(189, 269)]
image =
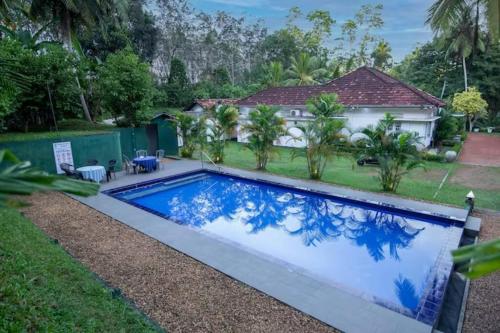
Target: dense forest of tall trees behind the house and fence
[(92, 60)]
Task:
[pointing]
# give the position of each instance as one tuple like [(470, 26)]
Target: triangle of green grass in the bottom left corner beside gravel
[(43, 289)]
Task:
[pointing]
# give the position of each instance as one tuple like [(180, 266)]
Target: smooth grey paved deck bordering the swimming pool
[(320, 300)]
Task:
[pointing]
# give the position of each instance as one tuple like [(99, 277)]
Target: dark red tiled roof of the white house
[(364, 86)]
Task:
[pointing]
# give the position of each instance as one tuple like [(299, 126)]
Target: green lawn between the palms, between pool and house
[(419, 184)]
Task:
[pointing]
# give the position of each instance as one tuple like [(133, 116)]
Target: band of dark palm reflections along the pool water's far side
[(315, 219)]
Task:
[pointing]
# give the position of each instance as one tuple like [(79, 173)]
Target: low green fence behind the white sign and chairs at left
[(102, 147)]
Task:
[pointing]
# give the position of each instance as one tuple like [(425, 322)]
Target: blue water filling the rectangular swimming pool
[(397, 260)]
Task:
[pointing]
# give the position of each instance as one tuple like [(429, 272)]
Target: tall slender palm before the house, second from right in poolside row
[(322, 135)]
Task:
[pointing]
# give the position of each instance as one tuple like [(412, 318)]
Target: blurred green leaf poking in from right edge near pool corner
[(478, 259)]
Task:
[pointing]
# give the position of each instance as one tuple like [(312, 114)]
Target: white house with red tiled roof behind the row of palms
[(367, 95)]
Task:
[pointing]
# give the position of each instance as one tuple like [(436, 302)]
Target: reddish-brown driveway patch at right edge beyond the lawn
[(481, 149)]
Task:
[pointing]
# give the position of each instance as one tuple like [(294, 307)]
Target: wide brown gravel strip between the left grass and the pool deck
[(176, 291)]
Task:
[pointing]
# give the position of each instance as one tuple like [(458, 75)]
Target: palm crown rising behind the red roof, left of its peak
[(304, 70)]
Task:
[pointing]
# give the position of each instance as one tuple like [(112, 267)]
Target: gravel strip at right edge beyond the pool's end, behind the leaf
[(483, 306)]
